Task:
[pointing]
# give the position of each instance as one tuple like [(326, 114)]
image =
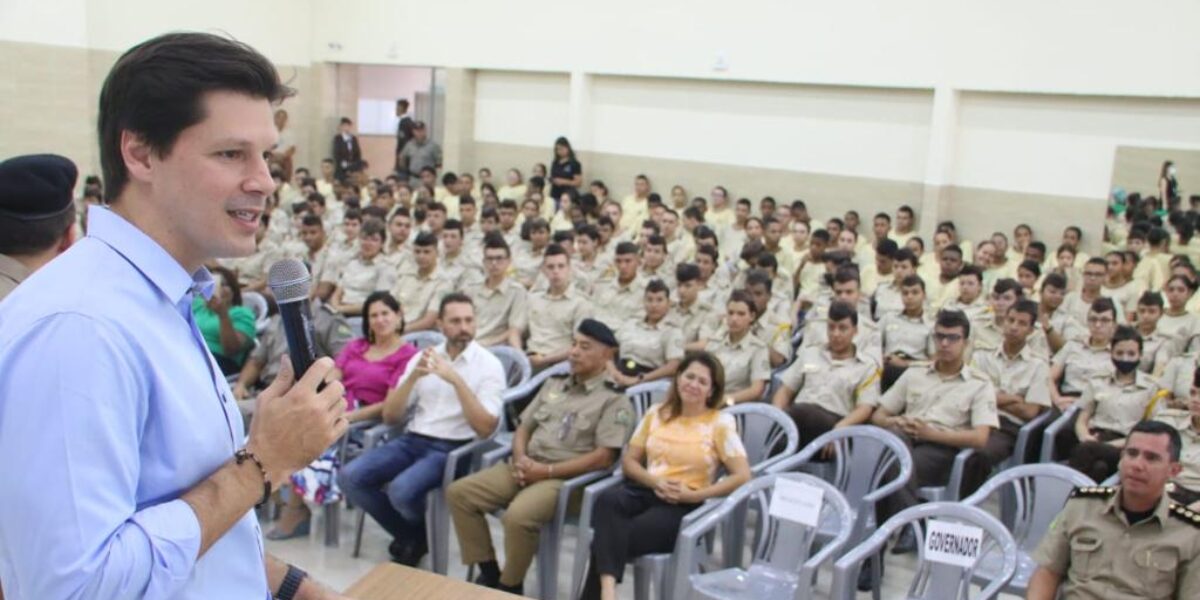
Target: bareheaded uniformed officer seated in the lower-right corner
[(1125, 542)]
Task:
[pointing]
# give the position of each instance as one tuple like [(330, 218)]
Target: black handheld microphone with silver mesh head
[(291, 283)]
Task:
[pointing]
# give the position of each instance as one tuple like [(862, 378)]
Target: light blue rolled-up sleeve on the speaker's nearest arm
[(70, 525)]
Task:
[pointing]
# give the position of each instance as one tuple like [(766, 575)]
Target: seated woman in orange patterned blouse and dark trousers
[(671, 467)]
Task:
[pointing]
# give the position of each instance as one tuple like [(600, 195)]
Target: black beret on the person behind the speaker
[(37, 187)]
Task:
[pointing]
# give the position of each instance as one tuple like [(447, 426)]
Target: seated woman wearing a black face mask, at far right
[(1112, 406)]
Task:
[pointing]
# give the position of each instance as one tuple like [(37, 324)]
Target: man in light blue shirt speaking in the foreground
[(125, 472)]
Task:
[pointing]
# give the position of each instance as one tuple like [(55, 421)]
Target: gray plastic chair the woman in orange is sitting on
[(769, 435)]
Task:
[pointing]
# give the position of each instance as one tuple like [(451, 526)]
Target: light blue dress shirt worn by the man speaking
[(111, 409)]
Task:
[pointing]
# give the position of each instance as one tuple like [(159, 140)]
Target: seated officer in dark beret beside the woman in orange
[(577, 424)]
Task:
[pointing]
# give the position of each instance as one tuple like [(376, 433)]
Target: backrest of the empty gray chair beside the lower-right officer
[(1031, 496)]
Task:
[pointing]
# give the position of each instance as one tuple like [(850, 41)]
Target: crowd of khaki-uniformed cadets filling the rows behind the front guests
[(953, 344)]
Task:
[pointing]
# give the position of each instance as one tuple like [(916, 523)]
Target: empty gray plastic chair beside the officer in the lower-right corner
[(1036, 495)]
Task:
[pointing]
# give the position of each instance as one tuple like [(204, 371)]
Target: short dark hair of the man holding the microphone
[(158, 88)]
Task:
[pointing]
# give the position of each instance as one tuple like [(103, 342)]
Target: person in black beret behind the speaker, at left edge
[(37, 215)]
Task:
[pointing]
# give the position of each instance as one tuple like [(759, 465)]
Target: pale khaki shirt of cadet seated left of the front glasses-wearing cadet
[(836, 386)]
